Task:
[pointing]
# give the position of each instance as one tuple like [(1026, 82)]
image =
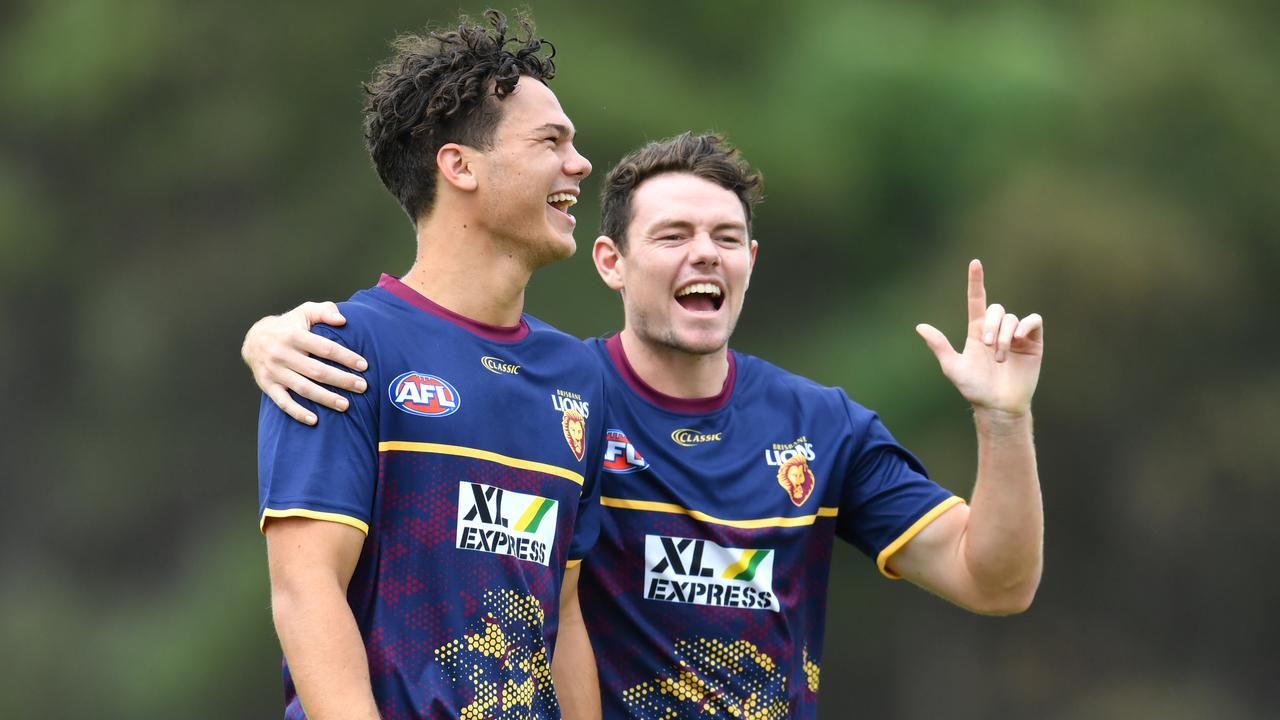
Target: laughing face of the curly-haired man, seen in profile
[(532, 176)]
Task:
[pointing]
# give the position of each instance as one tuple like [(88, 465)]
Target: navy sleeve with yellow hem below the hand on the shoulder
[(326, 472)]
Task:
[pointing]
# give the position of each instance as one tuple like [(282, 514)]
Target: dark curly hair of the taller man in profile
[(445, 88)]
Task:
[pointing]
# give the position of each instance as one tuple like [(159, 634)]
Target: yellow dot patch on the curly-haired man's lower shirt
[(504, 659)]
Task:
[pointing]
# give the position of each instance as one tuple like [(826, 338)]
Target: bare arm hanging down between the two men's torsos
[(574, 664)]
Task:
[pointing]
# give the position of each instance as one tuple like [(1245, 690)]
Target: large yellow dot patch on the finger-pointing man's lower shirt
[(715, 680)]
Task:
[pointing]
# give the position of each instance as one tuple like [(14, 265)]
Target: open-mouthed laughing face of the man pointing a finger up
[(688, 265)]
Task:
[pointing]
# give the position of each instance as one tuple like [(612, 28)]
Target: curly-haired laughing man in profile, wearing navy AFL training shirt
[(424, 545)]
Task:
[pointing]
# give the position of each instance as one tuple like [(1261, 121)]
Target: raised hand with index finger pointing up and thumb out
[(1000, 363)]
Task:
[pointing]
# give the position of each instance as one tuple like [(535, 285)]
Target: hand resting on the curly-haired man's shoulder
[(282, 353)]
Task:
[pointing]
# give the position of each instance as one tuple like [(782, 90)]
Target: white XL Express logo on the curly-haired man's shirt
[(502, 522)]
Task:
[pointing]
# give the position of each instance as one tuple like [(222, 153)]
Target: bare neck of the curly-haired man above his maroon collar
[(463, 270)]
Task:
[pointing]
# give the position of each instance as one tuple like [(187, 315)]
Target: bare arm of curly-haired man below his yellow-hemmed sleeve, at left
[(312, 563)]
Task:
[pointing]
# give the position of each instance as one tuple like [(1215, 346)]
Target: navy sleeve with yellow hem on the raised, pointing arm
[(888, 498)]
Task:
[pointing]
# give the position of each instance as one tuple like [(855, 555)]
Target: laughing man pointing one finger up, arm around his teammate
[(728, 480)]
